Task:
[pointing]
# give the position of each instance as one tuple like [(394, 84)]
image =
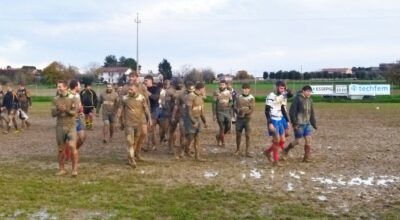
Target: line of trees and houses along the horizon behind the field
[(58, 71)]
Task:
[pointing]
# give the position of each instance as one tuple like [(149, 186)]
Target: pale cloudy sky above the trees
[(224, 35)]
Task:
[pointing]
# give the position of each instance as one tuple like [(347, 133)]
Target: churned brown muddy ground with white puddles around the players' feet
[(355, 158)]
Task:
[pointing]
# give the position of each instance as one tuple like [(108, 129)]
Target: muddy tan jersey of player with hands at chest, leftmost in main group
[(66, 118)]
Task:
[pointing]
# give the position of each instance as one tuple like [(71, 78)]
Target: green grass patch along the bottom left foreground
[(131, 196)]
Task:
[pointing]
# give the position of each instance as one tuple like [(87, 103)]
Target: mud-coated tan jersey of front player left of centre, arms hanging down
[(135, 109)]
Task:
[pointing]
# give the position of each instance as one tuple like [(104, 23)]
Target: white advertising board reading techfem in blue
[(371, 89)]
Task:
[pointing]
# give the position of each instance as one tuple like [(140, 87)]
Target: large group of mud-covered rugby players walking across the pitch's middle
[(138, 107)]
